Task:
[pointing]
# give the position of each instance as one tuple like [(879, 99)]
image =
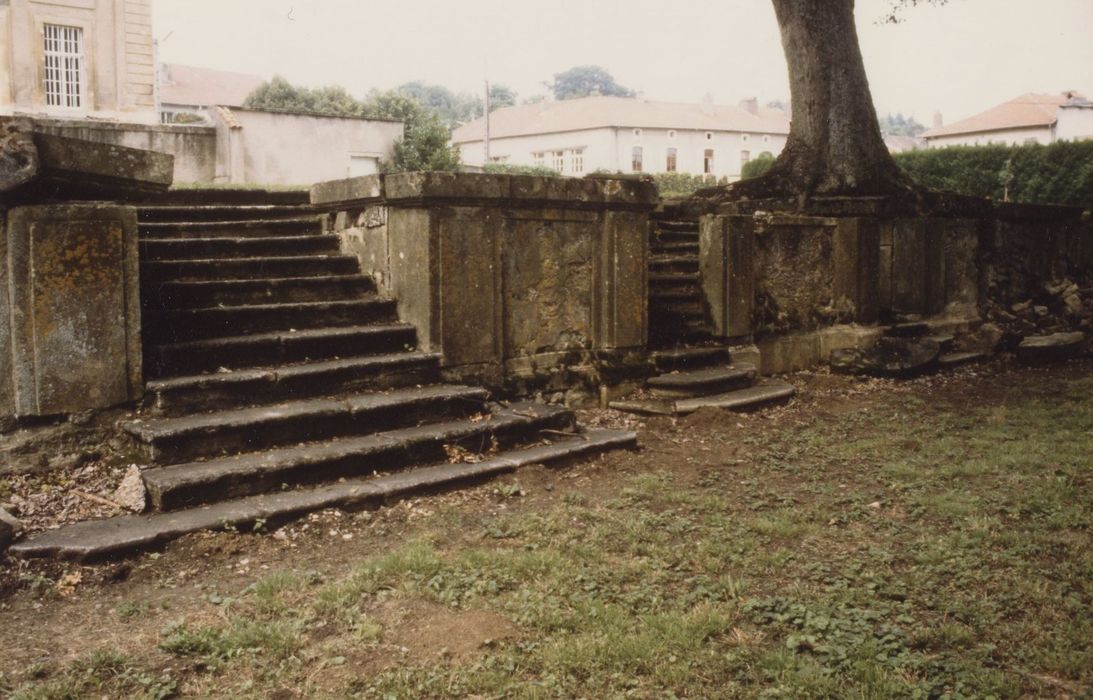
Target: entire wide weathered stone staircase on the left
[(280, 382)]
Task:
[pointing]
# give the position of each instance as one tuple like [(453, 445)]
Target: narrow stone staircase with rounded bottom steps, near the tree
[(694, 369)]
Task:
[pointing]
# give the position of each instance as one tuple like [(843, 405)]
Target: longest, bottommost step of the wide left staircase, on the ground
[(116, 536)]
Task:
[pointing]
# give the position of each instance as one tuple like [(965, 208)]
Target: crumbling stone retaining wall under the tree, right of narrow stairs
[(802, 287)]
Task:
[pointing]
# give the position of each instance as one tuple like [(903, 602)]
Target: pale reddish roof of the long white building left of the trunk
[(600, 112)]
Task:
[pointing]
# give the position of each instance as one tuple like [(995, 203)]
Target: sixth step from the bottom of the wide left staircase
[(198, 324)]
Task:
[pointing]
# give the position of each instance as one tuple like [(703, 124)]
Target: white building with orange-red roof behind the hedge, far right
[(1031, 119)]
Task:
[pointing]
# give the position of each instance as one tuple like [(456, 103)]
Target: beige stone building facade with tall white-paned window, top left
[(78, 60)]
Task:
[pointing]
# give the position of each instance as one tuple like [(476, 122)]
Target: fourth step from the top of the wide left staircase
[(228, 249)]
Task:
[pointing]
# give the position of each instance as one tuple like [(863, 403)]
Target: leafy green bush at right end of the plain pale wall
[(425, 146)]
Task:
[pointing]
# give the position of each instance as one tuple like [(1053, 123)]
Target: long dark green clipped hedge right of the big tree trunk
[(1057, 174)]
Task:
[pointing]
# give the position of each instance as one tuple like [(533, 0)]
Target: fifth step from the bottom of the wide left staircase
[(267, 349)]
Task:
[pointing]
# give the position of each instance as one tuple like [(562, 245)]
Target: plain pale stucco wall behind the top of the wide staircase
[(287, 149)]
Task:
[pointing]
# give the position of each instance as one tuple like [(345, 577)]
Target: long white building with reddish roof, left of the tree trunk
[(627, 135)]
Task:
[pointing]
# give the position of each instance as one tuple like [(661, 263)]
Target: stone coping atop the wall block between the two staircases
[(416, 189)]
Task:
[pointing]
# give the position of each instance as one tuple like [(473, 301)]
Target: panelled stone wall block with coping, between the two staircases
[(527, 284)]
